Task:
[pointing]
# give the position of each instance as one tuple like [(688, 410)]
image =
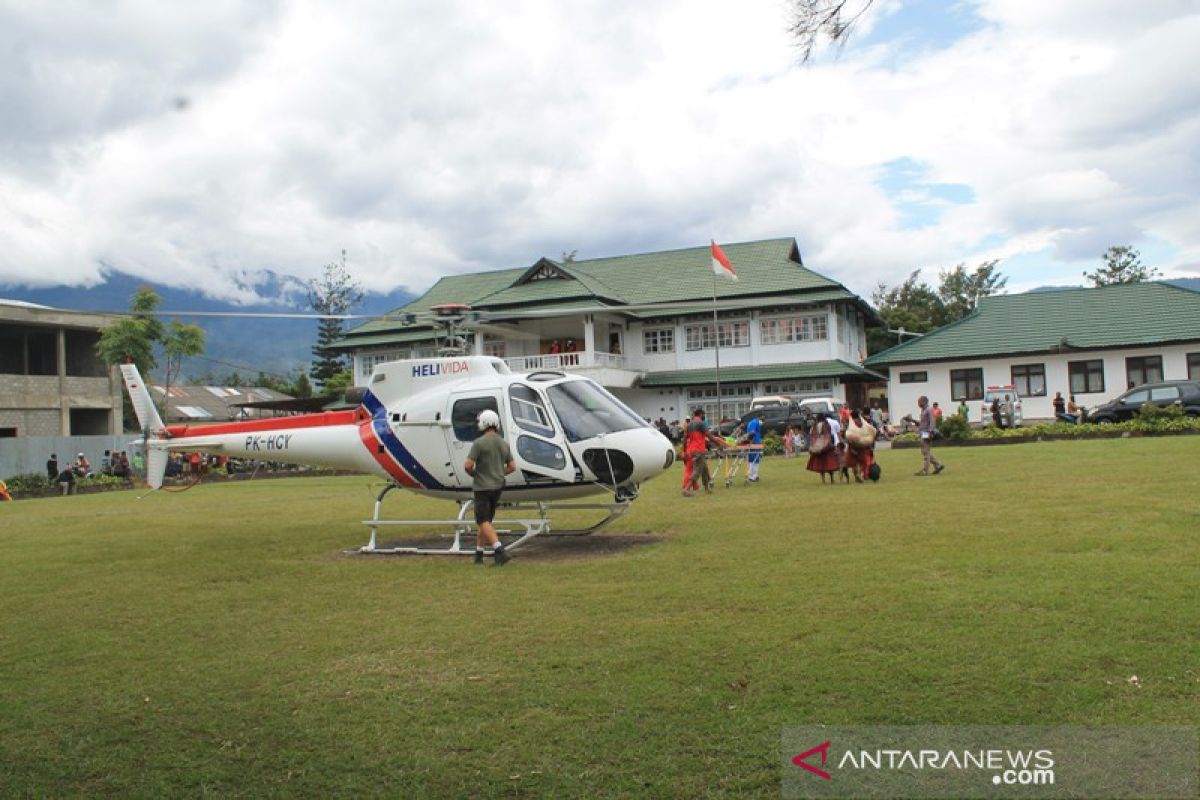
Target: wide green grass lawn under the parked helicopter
[(219, 642)]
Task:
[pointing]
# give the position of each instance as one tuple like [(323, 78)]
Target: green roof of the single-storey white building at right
[(1059, 321)]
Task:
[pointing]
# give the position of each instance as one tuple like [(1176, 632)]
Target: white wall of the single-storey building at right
[(903, 398)]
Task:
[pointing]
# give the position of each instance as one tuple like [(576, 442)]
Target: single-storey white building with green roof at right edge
[(1089, 344)]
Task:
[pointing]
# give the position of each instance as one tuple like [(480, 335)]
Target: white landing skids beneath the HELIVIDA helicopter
[(523, 528)]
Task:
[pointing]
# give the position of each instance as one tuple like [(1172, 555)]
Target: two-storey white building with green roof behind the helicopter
[(643, 326)]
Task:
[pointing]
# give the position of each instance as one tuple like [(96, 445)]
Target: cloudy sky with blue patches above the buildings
[(200, 145)]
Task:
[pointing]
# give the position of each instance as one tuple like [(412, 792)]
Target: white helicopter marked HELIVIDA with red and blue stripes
[(413, 424)]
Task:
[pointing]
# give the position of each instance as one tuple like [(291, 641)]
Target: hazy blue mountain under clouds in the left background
[(236, 345)]
